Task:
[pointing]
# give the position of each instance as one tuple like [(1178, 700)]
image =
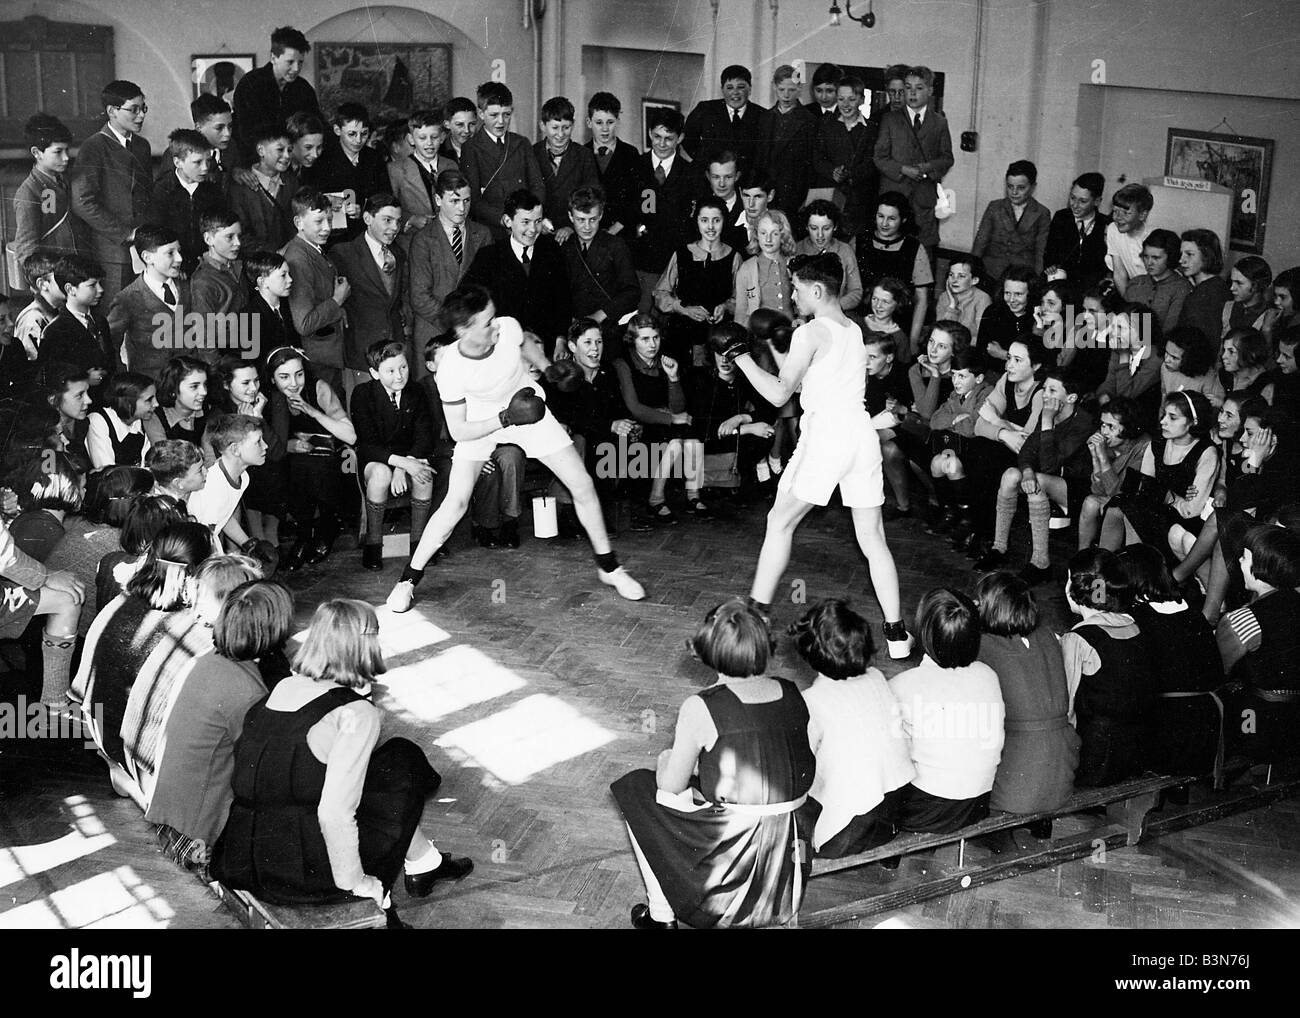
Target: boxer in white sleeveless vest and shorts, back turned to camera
[(838, 447)]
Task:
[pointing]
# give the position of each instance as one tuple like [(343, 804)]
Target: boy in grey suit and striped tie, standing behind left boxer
[(437, 267)]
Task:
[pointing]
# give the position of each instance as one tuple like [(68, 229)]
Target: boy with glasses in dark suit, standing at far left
[(112, 184)]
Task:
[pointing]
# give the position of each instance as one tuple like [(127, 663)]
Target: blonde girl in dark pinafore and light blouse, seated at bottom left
[(323, 812)]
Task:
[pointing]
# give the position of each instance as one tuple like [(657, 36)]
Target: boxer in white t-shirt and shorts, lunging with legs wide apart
[(491, 398)]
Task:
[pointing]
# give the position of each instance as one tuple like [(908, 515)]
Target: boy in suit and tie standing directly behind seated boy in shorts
[(379, 307)]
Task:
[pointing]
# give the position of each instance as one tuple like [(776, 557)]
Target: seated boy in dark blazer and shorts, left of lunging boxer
[(395, 441)]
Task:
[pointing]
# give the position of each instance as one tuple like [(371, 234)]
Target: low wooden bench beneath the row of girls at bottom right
[(1128, 821)]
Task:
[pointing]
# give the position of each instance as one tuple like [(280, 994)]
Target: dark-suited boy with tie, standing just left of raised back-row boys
[(666, 188)]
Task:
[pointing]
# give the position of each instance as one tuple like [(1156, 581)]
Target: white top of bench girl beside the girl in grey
[(955, 718)]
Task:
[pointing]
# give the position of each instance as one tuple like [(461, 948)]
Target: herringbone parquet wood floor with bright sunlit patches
[(532, 687)]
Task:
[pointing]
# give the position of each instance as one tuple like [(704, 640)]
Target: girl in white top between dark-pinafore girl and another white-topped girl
[(864, 761)]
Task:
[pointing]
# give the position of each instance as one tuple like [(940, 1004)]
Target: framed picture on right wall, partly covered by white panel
[(1241, 164)]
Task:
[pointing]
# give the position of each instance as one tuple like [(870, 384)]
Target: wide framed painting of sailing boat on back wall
[(391, 80)]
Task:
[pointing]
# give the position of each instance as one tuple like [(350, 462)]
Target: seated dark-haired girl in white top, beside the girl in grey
[(954, 713)]
